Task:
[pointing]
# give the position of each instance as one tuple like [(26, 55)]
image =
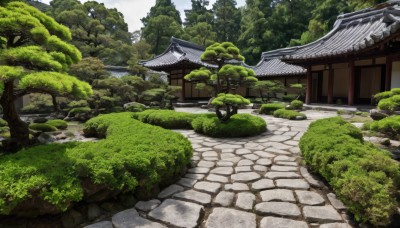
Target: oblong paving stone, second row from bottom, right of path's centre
[(278, 208)]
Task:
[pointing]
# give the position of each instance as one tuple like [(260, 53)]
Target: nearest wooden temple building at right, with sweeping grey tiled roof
[(357, 59)]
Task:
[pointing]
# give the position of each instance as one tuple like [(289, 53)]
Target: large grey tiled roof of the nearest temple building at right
[(352, 32)]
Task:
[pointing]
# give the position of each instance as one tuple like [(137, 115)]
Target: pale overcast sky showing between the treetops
[(134, 10)]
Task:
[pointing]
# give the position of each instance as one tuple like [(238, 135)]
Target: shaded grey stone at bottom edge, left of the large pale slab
[(130, 219)]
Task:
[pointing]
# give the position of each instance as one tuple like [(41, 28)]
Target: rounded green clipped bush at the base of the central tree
[(240, 125)]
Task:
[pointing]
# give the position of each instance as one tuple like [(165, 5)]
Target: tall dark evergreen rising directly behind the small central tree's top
[(227, 20)]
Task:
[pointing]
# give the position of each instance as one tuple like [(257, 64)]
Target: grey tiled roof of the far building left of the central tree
[(177, 52)]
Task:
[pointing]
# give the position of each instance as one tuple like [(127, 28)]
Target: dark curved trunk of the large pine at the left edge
[(18, 129)]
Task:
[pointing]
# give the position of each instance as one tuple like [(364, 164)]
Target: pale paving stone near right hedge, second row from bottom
[(321, 214)]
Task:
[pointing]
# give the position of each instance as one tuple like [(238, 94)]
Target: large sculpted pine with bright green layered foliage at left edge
[(34, 57)]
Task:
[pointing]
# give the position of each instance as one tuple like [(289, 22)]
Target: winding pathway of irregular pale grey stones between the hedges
[(242, 183)]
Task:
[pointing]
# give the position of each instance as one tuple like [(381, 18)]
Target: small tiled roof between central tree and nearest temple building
[(271, 65)]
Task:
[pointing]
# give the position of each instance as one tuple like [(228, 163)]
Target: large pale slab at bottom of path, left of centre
[(178, 213)]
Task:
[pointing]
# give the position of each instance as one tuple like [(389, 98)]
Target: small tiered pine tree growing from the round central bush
[(225, 79)]
